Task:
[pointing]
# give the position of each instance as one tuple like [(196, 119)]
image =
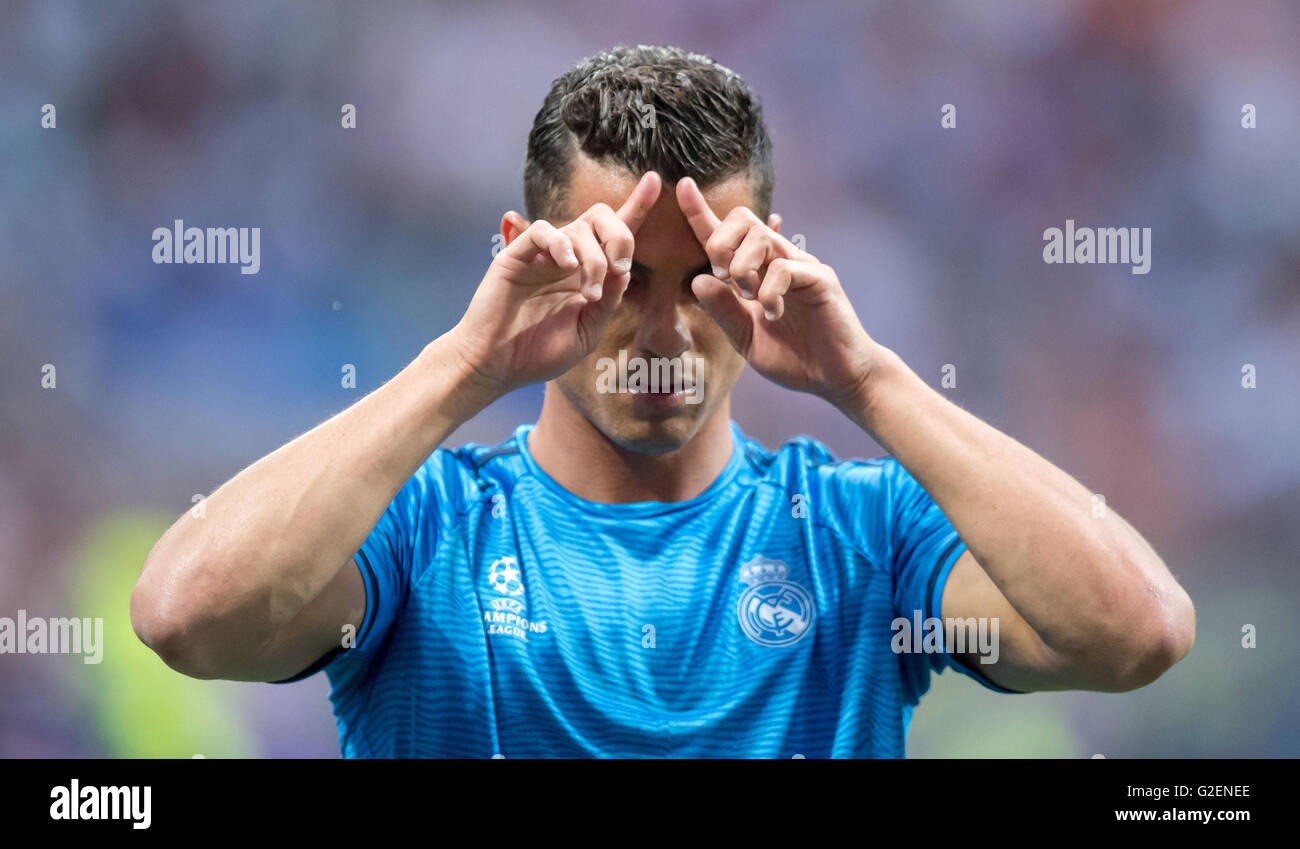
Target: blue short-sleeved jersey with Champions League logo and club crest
[(508, 617)]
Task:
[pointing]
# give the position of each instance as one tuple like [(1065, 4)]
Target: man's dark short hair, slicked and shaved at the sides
[(648, 109)]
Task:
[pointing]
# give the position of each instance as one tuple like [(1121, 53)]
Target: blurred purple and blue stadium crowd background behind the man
[(174, 378)]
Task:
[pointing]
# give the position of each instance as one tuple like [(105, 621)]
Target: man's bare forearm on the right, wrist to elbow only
[(1085, 581)]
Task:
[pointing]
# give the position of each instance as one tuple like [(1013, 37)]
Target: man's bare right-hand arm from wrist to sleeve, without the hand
[(1084, 603)]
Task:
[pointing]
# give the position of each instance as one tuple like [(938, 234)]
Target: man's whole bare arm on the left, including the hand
[(265, 584)]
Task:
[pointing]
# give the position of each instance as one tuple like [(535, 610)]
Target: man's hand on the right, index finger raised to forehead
[(782, 309)]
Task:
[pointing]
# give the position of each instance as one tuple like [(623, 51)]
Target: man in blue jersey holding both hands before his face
[(632, 575)]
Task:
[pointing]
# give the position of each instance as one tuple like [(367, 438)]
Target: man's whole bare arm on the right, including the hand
[(1081, 603)]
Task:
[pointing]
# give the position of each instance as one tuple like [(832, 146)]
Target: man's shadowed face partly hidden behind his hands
[(660, 328)]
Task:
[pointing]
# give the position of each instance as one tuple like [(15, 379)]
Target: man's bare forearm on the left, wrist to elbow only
[(278, 534)]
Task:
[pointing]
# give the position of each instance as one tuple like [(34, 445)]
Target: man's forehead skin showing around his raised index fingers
[(665, 229)]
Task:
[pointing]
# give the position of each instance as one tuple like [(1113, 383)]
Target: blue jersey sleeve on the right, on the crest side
[(925, 548)]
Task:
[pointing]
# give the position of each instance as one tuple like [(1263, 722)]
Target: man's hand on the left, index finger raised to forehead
[(548, 297)]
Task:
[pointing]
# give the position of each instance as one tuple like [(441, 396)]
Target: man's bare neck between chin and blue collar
[(590, 465)]
